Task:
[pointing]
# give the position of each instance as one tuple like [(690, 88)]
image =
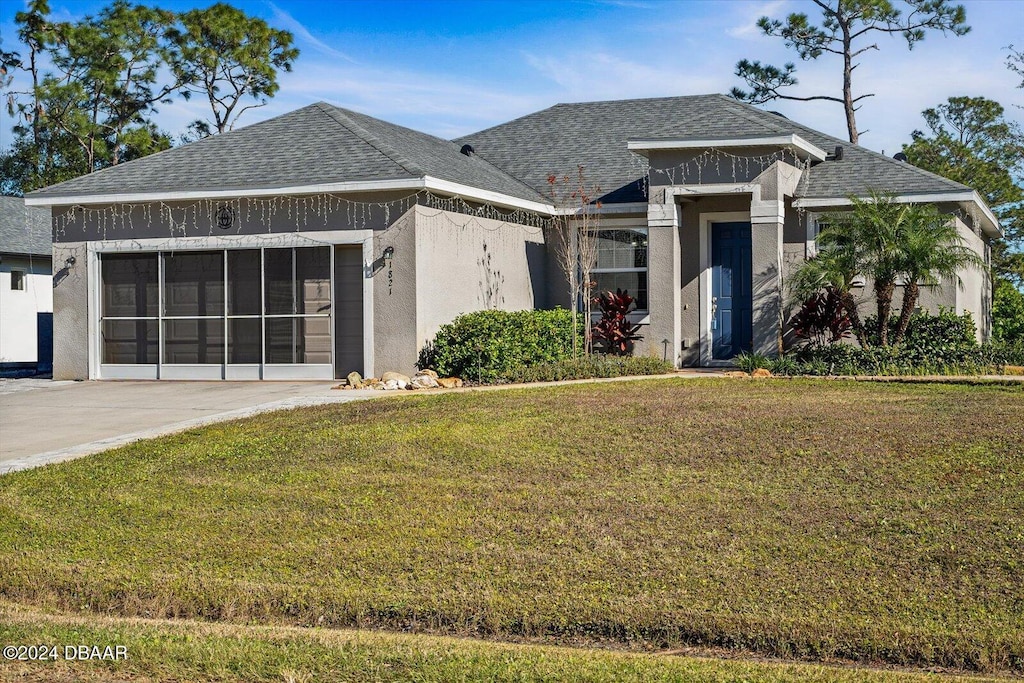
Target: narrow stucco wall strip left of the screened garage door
[(71, 313)]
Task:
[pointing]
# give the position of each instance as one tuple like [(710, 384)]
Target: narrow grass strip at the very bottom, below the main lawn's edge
[(203, 652)]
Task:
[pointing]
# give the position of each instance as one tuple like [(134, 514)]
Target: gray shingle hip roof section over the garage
[(317, 145)]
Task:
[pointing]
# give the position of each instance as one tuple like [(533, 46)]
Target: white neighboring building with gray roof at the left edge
[(26, 289)]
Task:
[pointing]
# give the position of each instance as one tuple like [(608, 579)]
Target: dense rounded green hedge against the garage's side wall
[(489, 346)]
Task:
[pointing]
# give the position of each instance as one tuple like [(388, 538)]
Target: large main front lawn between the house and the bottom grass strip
[(875, 523)]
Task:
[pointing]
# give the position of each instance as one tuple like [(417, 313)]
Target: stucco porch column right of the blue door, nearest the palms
[(767, 219)]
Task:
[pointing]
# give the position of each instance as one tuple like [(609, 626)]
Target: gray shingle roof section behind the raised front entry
[(595, 135)]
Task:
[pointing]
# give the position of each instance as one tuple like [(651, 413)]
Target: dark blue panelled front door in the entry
[(732, 322)]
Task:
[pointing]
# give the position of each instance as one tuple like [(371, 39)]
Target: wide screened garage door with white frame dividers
[(243, 314)]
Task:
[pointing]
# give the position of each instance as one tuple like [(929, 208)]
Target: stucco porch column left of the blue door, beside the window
[(664, 280)]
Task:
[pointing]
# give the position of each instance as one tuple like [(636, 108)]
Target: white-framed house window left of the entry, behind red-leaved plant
[(622, 264)]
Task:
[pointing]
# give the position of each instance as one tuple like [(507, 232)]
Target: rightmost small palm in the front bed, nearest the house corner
[(932, 250)]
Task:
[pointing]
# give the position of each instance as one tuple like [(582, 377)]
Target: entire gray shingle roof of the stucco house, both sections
[(321, 145)]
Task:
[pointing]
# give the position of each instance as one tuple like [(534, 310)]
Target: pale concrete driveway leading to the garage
[(42, 421)]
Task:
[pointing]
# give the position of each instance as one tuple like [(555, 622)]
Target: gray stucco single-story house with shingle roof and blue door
[(326, 241)]
